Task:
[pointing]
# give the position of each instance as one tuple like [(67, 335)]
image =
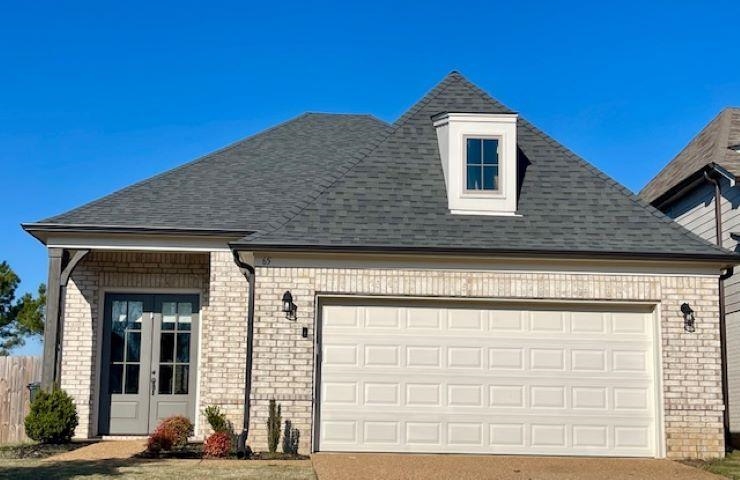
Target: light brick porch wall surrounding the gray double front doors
[(223, 318)]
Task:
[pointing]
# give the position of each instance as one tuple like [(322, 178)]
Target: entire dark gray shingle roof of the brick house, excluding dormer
[(352, 182)]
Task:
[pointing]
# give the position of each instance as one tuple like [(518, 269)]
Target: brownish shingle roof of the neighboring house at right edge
[(711, 145)]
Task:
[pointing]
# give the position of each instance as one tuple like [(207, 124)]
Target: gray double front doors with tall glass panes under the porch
[(149, 353)]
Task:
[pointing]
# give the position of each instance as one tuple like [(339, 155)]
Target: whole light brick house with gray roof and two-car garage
[(457, 281)]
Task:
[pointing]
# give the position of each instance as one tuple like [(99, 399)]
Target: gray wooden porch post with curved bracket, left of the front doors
[(61, 266)]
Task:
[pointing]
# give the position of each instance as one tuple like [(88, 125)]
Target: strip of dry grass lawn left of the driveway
[(34, 469)]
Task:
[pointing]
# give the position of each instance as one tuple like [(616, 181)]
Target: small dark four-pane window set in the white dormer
[(481, 164)]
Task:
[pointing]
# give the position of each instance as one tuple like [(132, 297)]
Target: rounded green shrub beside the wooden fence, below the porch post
[(53, 417)]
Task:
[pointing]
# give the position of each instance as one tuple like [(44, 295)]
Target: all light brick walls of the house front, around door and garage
[(283, 360)]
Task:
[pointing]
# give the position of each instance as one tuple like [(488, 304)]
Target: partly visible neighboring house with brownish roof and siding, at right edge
[(687, 190)]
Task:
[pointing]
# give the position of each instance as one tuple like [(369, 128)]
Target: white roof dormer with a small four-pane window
[(478, 152)]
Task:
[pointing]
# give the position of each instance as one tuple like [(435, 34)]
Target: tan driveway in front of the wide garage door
[(360, 466)]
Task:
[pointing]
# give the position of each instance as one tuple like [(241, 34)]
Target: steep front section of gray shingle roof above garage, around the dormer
[(395, 198)]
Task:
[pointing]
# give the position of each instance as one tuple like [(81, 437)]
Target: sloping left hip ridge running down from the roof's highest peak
[(415, 108)]
